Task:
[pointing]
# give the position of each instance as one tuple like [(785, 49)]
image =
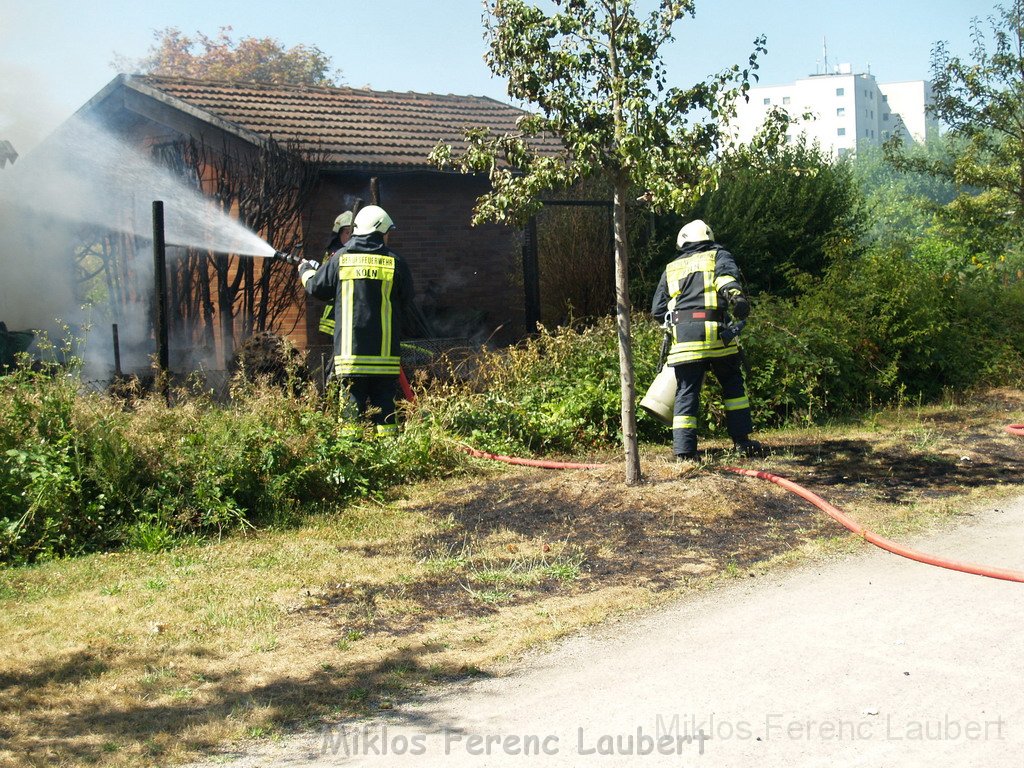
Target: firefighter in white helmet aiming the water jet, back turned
[(372, 288)]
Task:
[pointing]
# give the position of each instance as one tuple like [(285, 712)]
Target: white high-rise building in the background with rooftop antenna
[(845, 109)]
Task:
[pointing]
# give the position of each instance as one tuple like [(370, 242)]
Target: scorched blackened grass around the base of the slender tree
[(687, 524)]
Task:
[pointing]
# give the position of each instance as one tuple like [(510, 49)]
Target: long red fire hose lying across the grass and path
[(834, 513)]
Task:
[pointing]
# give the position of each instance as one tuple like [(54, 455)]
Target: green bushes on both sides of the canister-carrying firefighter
[(875, 329)]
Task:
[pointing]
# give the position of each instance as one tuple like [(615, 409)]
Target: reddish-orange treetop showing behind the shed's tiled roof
[(248, 60)]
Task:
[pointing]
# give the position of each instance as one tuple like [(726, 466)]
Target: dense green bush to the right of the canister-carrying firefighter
[(878, 328)]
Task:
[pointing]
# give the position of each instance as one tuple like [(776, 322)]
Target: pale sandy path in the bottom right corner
[(868, 661)]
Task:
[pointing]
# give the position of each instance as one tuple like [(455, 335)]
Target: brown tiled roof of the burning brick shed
[(355, 127)]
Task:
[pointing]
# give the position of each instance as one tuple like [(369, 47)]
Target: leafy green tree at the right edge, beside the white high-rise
[(982, 103)]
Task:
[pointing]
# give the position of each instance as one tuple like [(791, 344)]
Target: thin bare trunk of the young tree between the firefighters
[(623, 312)]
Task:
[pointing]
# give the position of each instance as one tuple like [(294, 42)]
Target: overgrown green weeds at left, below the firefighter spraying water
[(79, 473)]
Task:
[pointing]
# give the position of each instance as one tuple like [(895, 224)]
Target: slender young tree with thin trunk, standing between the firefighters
[(594, 71)]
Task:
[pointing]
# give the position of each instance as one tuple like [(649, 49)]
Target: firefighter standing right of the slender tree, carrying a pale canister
[(698, 292)]
